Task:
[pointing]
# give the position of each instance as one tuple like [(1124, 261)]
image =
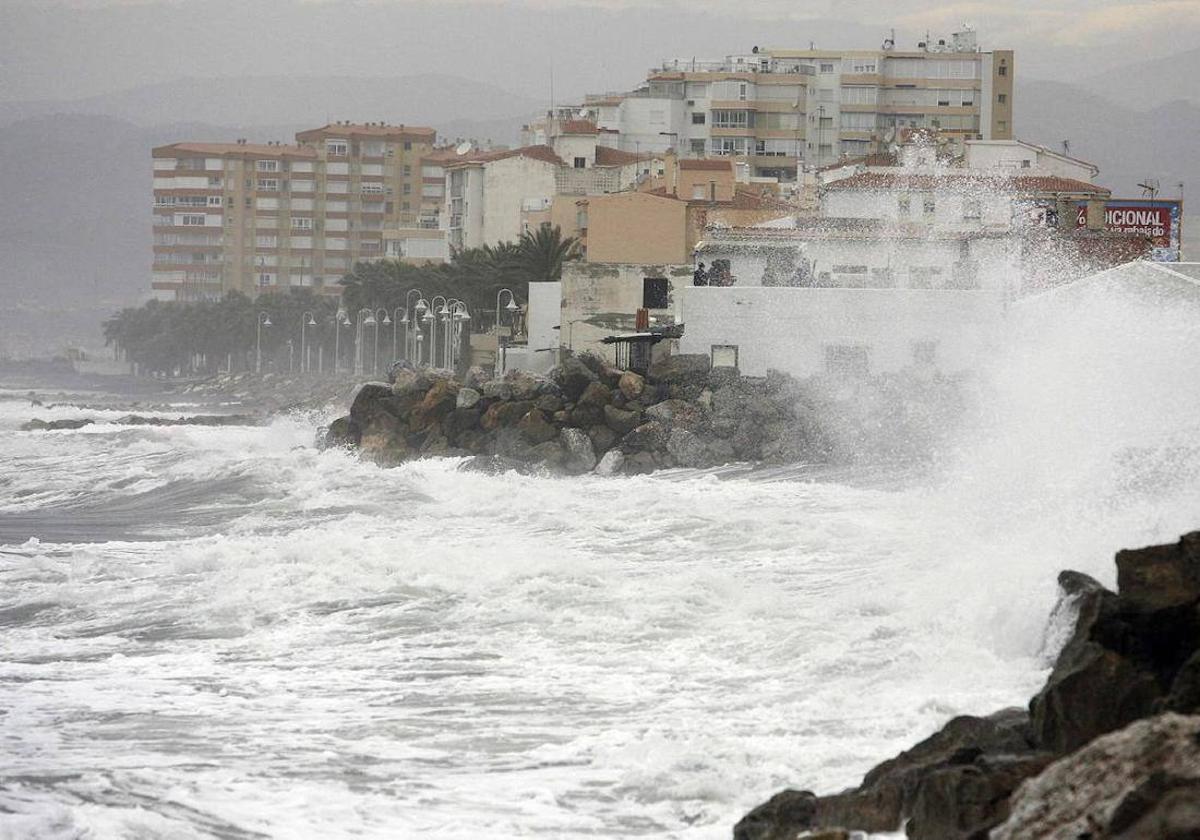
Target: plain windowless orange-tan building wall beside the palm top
[(637, 227)]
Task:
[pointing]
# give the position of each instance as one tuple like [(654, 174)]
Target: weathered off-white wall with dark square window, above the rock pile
[(602, 299)]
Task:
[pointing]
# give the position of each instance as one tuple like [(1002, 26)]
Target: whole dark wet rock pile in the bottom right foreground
[(1109, 749)]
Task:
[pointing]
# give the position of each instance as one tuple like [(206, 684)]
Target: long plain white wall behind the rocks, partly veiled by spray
[(790, 329)]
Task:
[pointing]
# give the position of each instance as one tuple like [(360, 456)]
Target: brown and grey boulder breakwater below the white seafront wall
[(584, 417)]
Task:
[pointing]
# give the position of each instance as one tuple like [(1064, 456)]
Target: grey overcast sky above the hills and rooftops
[(74, 49)]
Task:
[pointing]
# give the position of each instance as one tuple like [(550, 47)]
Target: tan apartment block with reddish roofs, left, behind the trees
[(256, 218)]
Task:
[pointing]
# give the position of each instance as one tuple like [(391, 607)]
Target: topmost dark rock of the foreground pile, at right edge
[(1162, 577)]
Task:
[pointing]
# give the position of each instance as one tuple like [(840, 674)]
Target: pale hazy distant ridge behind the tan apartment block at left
[(446, 103)]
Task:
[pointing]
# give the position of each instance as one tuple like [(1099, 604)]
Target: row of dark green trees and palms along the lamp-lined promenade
[(179, 338)]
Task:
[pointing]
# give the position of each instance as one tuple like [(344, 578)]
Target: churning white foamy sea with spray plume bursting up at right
[(223, 633)]
